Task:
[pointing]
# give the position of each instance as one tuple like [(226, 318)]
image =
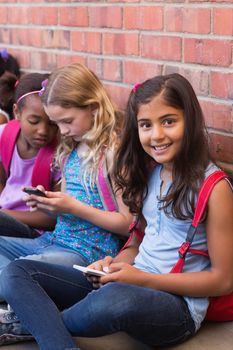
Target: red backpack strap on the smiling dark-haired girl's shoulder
[(202, 200)]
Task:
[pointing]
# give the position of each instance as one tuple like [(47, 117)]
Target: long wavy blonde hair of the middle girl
[(76, 86)]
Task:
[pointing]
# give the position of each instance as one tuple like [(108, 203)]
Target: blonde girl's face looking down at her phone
[(73, 122)]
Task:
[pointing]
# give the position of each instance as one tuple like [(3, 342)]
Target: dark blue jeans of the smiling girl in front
[(151, 316)]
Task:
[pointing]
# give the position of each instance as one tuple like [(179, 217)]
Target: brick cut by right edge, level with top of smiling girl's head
[(222, 85)]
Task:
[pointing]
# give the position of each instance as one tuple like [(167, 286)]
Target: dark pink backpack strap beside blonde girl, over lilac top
[(41, 174)]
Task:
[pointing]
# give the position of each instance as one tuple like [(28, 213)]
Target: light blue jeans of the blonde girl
[(43, 248)]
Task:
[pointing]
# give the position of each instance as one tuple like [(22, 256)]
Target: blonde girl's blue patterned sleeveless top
[(91, 241)]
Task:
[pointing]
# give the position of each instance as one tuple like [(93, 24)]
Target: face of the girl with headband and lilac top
[(36, 128)]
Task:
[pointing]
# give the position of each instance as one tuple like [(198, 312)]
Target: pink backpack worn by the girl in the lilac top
[(42, 166)]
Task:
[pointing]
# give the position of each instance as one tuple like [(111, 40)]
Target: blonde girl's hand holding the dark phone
[(54, 202)]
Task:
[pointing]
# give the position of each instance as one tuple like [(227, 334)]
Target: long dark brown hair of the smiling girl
[(133, 165)]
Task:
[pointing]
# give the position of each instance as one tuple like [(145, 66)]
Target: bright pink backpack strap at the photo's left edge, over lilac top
[(8, 141)]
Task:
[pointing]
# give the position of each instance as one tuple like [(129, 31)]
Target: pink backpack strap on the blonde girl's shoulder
[(105, 188)]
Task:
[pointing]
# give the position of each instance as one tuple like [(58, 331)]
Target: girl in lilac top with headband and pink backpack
[(21, 142)]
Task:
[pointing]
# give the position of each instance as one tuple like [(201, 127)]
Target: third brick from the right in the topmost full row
[(143, 17)]
